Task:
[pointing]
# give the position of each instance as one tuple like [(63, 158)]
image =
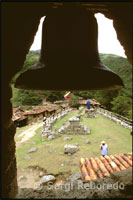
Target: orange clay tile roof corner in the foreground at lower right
[(94, 168)]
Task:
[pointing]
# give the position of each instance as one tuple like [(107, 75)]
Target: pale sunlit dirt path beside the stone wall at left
[(30, 132)]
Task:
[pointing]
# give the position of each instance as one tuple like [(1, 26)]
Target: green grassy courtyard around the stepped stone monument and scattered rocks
[(117, 137)]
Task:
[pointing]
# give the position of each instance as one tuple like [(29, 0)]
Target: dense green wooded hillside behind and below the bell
[(118, 101)]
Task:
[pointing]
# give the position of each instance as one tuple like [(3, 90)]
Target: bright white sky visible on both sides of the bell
[(107, 39)]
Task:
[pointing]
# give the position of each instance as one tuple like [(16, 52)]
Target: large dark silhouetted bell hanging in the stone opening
[(69, 58)]
